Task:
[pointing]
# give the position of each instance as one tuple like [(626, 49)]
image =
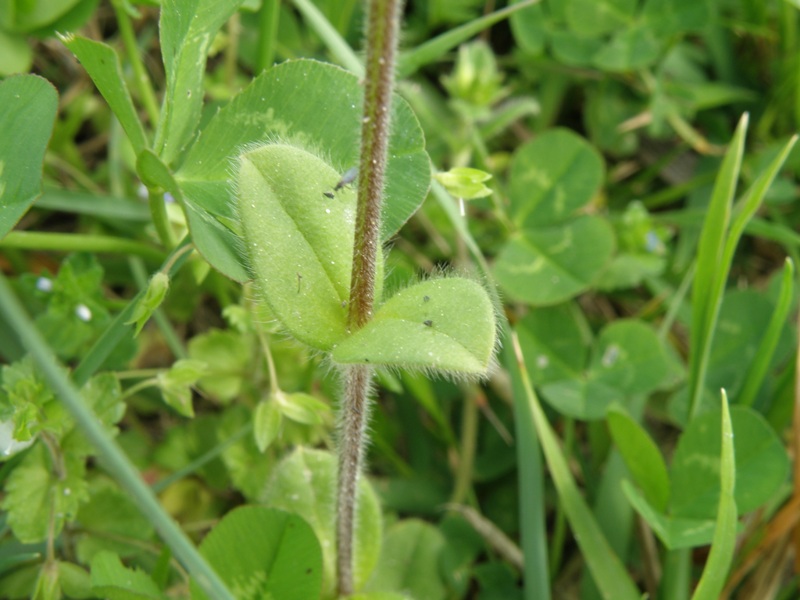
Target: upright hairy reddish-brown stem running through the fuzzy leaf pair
[(381, 44)]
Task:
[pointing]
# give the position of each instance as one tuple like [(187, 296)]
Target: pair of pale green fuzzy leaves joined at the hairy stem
[(300, 244)]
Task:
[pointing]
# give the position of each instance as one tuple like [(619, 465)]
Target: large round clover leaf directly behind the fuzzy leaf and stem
[(315, 106)]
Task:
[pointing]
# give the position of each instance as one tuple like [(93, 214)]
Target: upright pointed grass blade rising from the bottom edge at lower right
[(722, 548)]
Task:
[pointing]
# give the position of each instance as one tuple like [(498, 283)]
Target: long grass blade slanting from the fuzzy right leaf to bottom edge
[(607, 570)]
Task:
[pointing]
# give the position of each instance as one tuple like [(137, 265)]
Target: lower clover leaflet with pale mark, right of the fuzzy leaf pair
[(548, 265)]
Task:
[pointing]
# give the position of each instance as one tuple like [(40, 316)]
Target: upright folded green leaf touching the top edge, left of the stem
[(187, 29)]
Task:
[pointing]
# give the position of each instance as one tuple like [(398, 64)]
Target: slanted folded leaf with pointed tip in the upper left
[(102, 64)]
